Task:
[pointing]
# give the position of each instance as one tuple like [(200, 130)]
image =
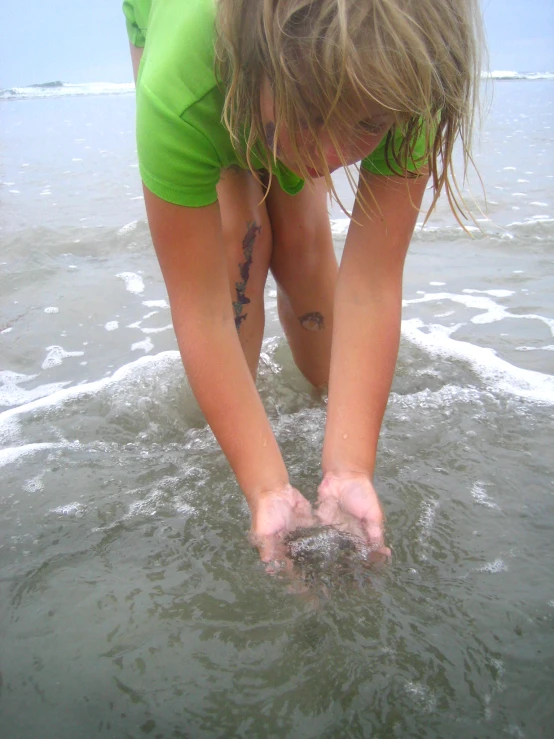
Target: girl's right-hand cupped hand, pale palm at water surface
[(350, 504)]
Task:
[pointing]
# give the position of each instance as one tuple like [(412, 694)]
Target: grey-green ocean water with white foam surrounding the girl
[(131, 603)]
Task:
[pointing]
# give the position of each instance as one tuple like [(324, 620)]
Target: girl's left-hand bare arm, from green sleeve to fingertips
[(190, 249)]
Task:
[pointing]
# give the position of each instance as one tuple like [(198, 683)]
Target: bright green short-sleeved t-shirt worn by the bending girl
[(182, 143)]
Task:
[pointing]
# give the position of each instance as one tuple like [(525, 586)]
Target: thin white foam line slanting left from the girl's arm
[(62, 397)]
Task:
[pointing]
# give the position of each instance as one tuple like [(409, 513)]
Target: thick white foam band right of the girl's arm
[(502, 375)]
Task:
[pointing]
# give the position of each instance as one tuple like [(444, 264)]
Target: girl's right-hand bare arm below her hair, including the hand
[(367, 313)]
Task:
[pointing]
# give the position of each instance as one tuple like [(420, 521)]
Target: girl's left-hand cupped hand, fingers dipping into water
[(274, 515)]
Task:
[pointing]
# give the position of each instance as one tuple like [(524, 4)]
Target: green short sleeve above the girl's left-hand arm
[(178, 163)]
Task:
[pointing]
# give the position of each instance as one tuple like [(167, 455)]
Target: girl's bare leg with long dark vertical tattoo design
[(247, 234)]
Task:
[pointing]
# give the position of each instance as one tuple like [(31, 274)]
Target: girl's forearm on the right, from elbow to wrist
[(365, 348)]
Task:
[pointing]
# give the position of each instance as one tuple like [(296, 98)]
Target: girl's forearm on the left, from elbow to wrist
[(222, 383)]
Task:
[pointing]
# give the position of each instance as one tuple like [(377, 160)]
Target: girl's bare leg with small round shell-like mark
[(305, 267)]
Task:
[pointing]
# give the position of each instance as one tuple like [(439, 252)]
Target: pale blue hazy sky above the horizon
[(46, 40)]
